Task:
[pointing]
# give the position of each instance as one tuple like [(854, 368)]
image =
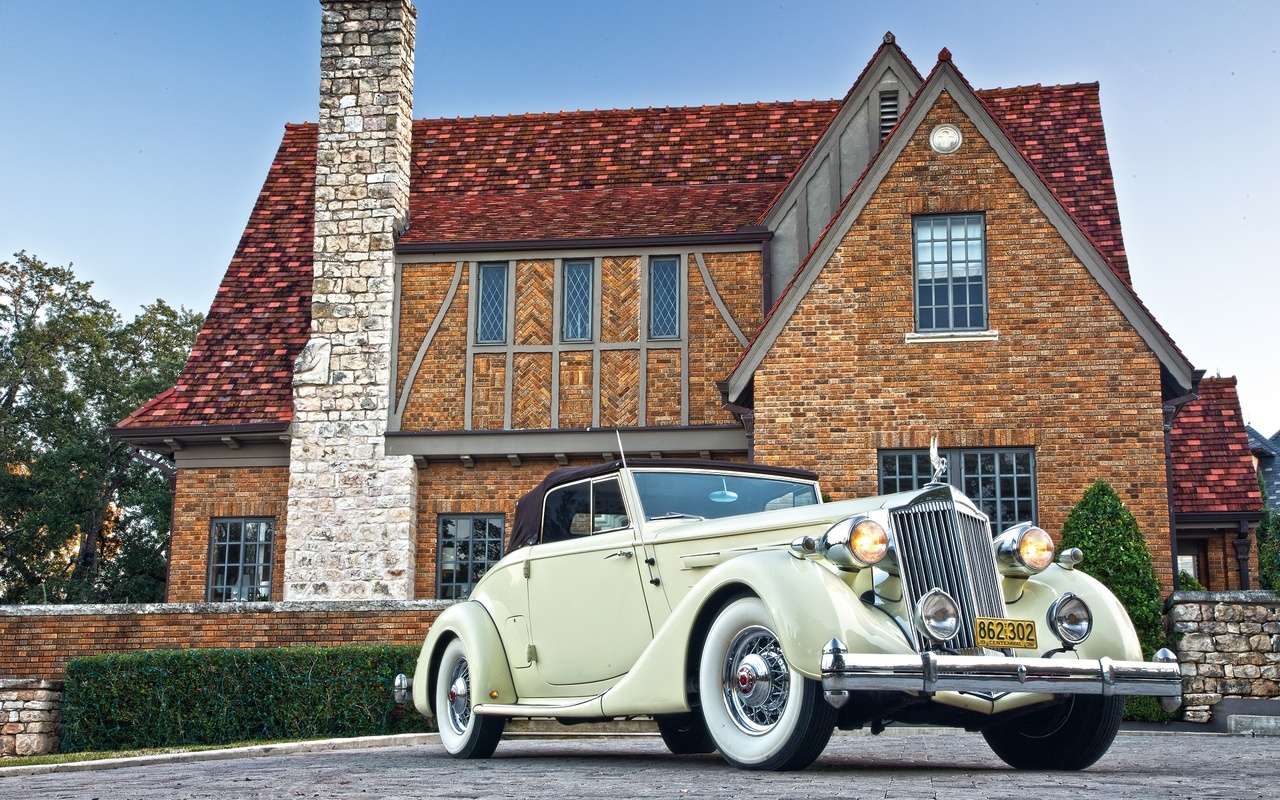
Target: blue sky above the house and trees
[(135, 136)]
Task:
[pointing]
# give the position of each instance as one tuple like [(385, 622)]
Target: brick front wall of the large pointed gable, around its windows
[(1068, 376)]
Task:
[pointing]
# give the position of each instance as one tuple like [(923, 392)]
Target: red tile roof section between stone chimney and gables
[(596, 175)]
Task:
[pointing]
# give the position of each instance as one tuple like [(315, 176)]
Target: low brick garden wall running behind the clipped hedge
[(42, 639)]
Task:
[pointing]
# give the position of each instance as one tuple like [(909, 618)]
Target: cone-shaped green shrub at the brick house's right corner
[(1117, 555)]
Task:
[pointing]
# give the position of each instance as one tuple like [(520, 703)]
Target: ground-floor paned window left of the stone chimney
[(240, 560)]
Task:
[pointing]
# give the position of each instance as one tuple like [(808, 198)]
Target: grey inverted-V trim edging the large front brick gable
[(947, 79)]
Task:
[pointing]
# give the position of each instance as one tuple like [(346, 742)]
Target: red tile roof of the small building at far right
[(1210, 451)]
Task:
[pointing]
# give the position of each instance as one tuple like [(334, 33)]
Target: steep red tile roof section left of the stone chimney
[(241, 369)]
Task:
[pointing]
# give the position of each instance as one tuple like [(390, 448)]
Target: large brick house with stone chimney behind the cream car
[(426, 317)]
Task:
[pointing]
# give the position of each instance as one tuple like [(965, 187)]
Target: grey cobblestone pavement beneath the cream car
[(854, 767)]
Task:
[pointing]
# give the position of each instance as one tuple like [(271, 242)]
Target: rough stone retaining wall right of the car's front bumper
[(1229, 648)]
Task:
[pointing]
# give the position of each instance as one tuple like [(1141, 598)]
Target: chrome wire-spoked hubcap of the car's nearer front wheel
[(757, 680)]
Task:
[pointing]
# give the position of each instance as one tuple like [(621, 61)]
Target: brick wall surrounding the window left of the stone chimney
[(222, 492)]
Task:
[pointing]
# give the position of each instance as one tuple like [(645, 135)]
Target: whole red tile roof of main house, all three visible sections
[(580, 175)]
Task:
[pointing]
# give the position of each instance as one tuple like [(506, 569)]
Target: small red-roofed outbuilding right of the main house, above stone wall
[(1217, 499)]
